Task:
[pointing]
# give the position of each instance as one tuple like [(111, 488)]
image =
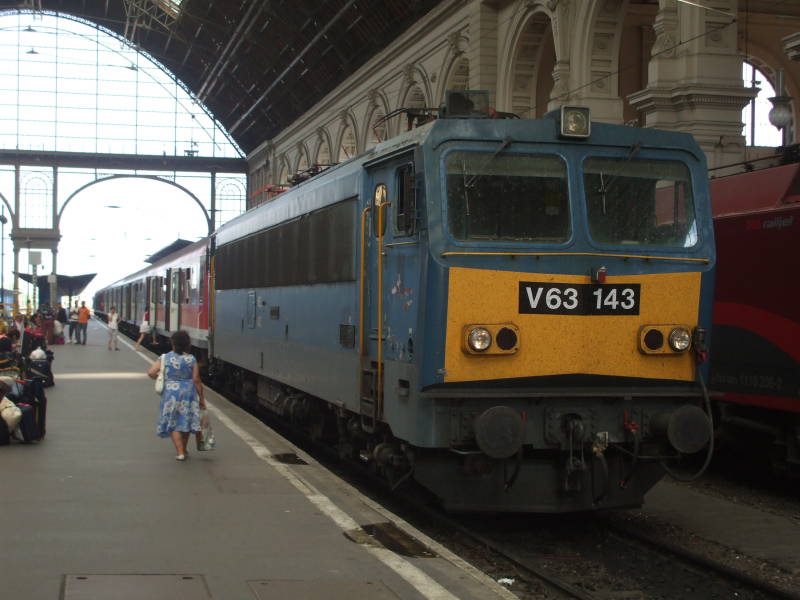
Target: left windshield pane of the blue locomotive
[(507, 197)]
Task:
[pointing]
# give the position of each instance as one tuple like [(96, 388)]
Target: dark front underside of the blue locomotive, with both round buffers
[(560, 454)]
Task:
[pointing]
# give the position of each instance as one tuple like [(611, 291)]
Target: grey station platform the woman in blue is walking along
[(101, 509)]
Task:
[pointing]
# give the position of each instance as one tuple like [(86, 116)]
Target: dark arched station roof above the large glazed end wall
[(257, 65)]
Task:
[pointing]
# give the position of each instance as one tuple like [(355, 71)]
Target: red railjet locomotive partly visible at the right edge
[(755, 360)]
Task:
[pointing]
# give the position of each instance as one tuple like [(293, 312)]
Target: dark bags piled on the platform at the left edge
[(23, 410)]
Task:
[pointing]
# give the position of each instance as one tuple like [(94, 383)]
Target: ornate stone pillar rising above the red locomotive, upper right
[(695, 78)]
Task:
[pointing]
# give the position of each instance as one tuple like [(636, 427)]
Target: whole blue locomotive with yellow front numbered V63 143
[(511, 312)]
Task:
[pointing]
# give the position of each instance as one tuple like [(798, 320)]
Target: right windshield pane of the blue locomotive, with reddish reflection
[(640, 202)]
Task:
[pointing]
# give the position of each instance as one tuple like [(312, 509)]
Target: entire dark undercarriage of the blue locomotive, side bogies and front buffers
[(527, 455)]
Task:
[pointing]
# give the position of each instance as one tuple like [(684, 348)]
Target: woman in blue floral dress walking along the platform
[(182, 396)]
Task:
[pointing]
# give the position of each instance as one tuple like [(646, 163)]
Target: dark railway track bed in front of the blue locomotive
[(611, 561)]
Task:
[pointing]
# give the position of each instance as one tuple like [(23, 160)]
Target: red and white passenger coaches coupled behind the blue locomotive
[(173, 290)]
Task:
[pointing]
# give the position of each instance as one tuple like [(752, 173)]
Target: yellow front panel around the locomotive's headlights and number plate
[(560, 344)]
